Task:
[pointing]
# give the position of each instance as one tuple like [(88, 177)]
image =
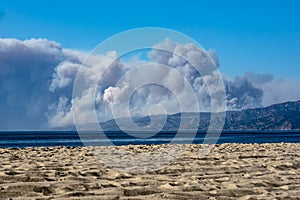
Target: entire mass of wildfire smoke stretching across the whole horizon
[(37, 77)]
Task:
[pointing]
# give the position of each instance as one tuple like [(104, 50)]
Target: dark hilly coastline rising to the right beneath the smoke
[(283, 116)]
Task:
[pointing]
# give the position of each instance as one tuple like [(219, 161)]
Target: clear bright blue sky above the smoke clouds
[(257, 36)]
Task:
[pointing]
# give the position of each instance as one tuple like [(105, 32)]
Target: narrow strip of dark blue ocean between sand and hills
[(71, 138)]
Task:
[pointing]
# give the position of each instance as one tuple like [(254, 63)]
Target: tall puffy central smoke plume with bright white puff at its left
[(155, 94)]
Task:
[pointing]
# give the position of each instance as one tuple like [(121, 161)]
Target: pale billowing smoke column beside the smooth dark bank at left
[(84, 101)]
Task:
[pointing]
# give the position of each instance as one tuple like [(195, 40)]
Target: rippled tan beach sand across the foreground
[(229, 171)]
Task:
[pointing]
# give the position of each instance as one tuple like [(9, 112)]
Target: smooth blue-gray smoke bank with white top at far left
[(27, 69)]
